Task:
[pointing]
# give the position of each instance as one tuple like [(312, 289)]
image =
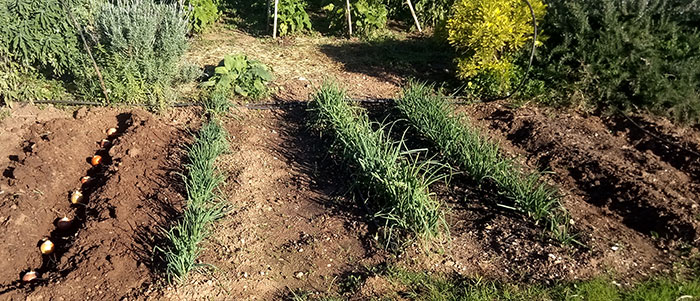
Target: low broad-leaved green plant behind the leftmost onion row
[(237, 74)]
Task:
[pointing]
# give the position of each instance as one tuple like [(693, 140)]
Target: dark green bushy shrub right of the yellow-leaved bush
[(626, 54)]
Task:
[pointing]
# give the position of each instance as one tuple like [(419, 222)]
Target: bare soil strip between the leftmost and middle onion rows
[(290, 226)]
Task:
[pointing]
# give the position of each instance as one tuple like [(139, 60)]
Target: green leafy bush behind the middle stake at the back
[(368, 16)]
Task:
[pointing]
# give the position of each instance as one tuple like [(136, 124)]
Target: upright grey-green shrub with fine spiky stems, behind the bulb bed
[(140, 46)]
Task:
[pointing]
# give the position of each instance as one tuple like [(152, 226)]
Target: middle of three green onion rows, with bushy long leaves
[(395, 181)]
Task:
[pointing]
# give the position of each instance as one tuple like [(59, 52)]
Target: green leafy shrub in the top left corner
[(39, 44)]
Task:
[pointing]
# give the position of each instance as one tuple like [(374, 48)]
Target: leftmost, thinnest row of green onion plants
[(203, 206)]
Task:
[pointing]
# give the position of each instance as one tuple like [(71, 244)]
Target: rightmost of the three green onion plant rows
[(463, 145)]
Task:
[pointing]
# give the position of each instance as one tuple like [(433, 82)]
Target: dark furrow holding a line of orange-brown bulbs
[(54, 245)]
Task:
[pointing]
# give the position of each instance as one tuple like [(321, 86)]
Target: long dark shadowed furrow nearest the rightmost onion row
[(601, 183)]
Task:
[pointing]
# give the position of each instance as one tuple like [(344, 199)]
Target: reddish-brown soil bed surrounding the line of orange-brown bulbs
[(106, 253)]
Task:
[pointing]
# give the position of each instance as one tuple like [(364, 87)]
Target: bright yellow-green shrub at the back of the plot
[(488, 34)]
